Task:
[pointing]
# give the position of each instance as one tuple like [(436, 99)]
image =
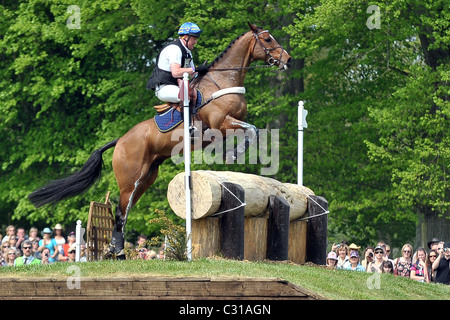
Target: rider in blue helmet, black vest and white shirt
[(174, 60)]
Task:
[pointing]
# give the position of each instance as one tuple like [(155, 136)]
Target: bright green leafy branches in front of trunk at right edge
[(415, 141)]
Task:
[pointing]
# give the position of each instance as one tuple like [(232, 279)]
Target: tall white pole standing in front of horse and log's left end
[(187, 164)]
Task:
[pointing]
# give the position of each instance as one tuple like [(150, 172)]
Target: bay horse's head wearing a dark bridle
[(266, 48)]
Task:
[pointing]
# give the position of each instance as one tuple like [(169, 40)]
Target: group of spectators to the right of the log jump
[(421, 265)]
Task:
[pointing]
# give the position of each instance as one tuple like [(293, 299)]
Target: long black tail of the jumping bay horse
[(77, 183)]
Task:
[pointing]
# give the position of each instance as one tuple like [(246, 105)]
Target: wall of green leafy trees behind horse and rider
[(377, 142)]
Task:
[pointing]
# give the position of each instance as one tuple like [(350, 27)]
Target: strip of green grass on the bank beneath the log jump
[(331, 284)]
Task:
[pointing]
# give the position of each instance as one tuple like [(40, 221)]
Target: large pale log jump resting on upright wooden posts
[(245, 216)]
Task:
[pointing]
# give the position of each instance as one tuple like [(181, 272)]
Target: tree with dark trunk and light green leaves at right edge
[(414, 127)]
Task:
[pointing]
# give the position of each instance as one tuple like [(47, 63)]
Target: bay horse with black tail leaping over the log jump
[(139, 153)]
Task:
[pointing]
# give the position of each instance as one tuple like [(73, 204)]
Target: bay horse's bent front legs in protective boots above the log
[(246, 133)]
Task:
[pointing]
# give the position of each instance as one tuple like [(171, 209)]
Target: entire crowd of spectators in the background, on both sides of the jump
[(433, 265)]
